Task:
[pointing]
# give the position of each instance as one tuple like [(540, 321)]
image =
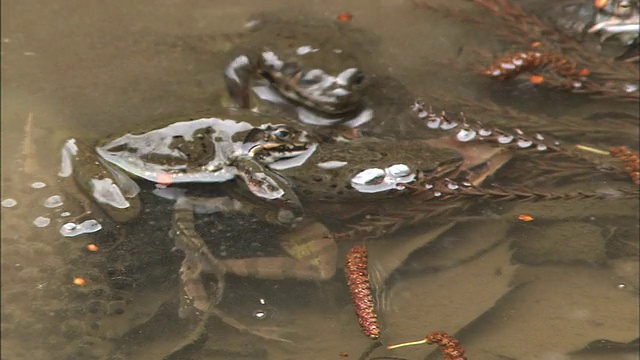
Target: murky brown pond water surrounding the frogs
[(508, 289)]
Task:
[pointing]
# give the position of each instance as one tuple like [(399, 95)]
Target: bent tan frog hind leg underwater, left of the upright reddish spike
[(313, 255)]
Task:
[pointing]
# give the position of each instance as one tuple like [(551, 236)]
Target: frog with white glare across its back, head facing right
[(206, 150)]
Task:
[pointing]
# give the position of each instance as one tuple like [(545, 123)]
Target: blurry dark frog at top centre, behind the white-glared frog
[(313, 71)]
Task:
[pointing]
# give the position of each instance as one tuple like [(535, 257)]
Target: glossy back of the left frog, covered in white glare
[(187, 151)]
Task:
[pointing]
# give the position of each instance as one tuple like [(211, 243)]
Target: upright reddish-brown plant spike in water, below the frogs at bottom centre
[(360, 289)]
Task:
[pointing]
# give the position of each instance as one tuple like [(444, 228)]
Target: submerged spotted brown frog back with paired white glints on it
[(367, 169)]
